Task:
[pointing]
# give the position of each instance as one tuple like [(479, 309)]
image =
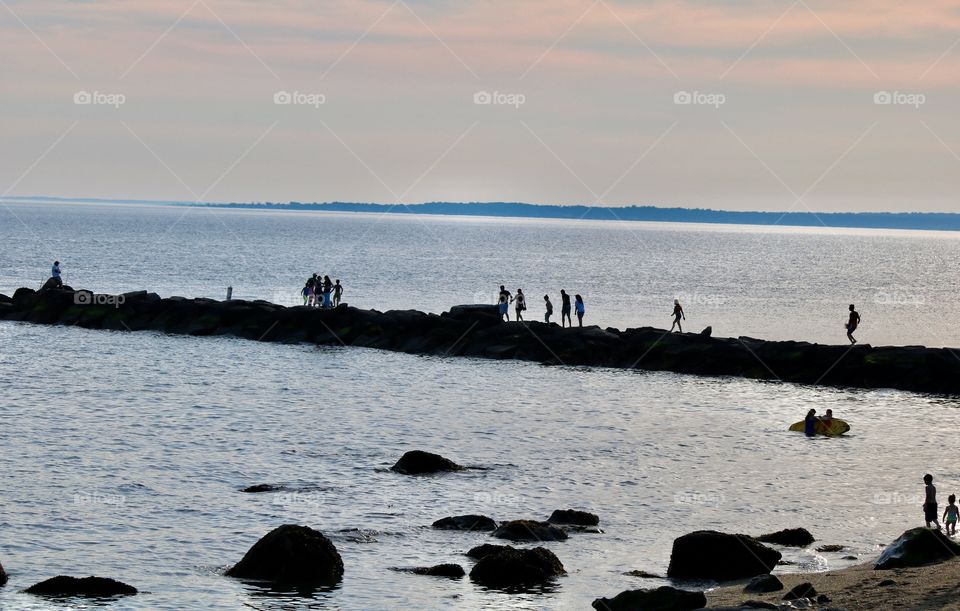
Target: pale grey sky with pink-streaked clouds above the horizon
[(782, 105)]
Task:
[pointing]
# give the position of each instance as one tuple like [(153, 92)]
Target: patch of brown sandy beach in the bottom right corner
[(858, 587)]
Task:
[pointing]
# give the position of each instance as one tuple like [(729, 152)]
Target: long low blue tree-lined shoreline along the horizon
[(912, 221)]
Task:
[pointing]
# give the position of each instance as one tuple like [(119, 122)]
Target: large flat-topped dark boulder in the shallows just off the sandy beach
[(708, 554)]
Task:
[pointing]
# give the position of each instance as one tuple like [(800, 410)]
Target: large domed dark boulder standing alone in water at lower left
[(291, 554)]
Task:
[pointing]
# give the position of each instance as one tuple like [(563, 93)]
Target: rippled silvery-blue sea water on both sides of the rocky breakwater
[(124, 454)]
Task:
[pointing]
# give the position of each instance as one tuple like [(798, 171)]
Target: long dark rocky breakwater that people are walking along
[(476, 331)]
